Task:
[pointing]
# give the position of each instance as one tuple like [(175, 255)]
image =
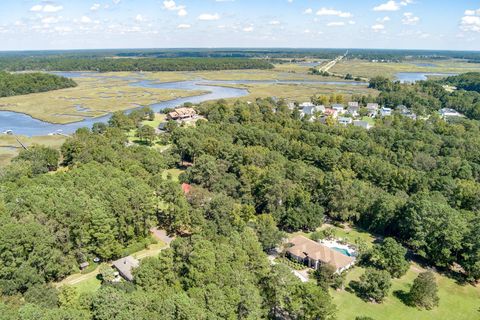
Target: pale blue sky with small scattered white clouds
[(90, 24)]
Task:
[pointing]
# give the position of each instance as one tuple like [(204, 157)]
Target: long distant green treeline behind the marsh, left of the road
[(130, 64)]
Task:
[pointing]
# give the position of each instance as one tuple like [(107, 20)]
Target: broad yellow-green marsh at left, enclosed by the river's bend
[(93, 97)]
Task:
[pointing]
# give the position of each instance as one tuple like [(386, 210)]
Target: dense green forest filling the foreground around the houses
[(256, 170)]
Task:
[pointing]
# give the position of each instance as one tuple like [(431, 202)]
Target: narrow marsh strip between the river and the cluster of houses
[(299, 92)]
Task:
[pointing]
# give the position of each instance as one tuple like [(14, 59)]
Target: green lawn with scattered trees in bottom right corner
[(456, 302)]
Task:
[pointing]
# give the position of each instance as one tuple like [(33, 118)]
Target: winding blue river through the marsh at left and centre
[(22, 124)]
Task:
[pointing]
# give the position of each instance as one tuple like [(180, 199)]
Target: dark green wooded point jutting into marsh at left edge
[(13, 84)]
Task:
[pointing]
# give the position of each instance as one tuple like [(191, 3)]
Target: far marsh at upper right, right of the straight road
[(363, 68)]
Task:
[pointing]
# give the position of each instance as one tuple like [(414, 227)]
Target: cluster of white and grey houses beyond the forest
[(350, 114)]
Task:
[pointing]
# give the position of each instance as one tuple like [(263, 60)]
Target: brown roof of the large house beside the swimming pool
[(303, 247)]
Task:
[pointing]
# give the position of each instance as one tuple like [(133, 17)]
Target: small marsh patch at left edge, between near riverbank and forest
[(9, 147)]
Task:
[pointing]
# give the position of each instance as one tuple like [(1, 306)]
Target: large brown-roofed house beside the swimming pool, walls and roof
[(313, 254)]
